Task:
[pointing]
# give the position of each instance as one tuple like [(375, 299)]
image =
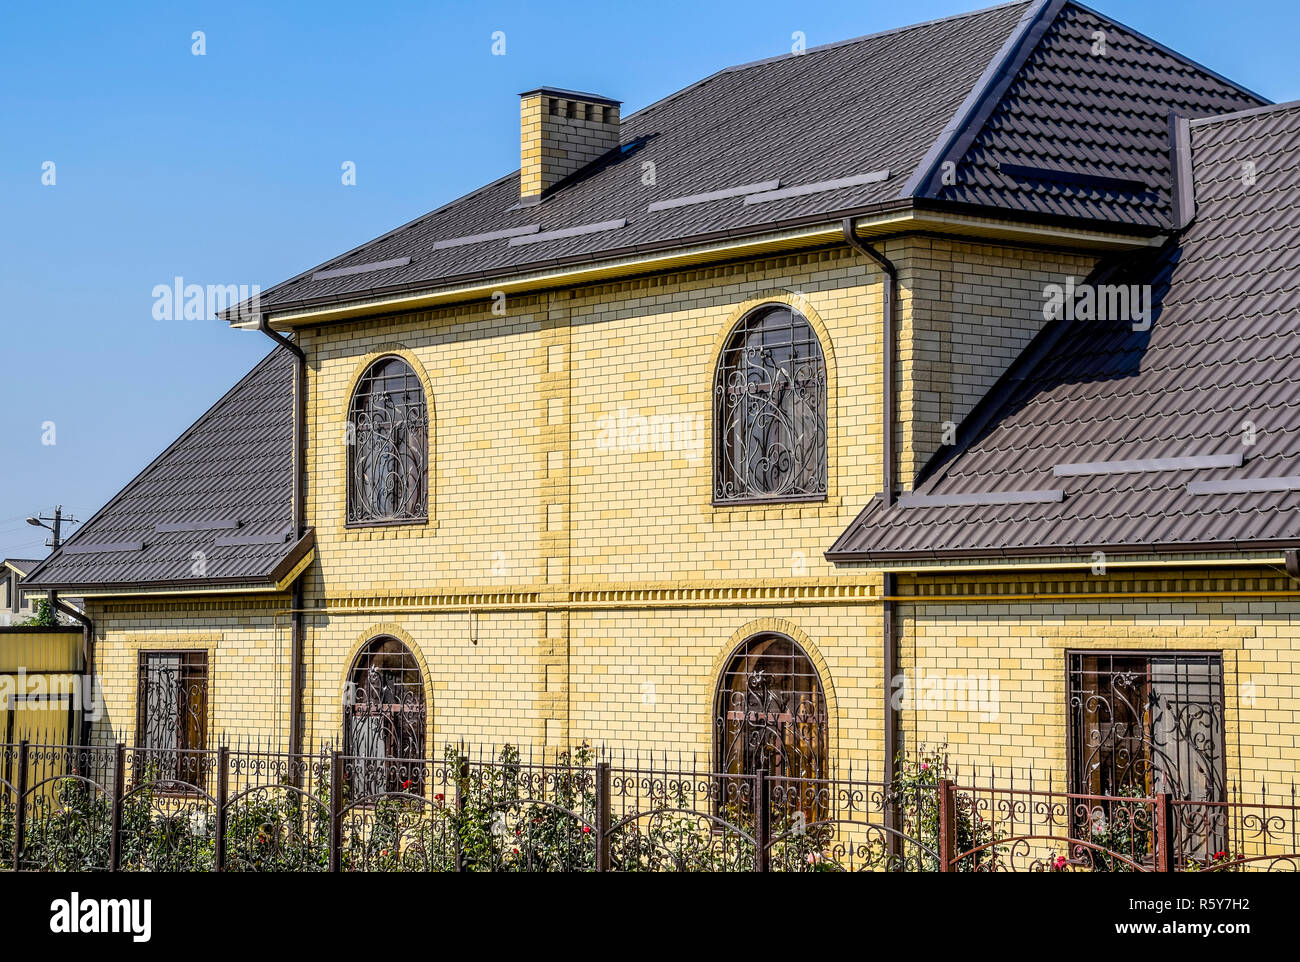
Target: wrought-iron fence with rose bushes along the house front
[(132, 809)]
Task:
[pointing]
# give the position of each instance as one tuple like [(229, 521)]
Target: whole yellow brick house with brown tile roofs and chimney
[(643, 445)]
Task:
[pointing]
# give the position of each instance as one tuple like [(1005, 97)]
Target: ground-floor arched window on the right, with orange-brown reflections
[(770, 713)]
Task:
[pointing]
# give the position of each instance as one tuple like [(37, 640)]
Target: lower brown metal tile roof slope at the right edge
[(1223, 352)]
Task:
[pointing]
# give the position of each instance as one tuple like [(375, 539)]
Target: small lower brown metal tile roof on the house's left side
[(232, 466)]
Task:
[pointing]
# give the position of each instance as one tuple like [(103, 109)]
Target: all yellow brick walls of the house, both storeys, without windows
[(577, 583)]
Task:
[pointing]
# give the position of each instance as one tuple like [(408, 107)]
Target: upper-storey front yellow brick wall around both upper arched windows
[(580, 427)]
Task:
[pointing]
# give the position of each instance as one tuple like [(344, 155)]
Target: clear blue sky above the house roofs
[(226, 168)]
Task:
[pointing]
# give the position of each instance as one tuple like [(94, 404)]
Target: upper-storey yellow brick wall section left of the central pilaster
[(483, 379)]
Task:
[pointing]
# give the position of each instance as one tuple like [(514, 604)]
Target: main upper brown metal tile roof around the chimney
[(900, 102)]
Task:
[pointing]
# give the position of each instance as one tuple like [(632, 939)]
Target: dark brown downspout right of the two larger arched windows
[(889, 612)]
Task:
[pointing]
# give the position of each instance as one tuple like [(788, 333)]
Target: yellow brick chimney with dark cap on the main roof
[(561, 132)]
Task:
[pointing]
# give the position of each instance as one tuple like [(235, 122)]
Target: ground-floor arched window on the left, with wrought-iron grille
[(384, 716)]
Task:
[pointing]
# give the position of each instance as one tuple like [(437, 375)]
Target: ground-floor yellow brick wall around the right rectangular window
[(1016, 653)]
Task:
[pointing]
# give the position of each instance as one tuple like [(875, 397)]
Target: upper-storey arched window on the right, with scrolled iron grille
[(770, 410)]
